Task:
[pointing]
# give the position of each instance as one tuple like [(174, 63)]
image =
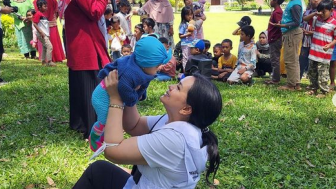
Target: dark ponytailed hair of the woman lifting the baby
[(206, 103)]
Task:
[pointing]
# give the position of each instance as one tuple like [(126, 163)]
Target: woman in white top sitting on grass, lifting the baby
[(169, 151)]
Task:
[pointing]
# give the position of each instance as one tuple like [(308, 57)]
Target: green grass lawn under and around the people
[(286, 140)]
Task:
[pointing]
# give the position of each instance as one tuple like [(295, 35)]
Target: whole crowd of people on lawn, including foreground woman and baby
[(100, 41)]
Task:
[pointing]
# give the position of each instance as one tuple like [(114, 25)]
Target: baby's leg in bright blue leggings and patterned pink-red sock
[(100, 103)]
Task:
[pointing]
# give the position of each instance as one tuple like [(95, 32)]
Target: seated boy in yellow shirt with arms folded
[(226, 62)]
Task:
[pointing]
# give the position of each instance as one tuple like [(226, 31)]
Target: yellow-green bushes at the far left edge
[(9, 38)]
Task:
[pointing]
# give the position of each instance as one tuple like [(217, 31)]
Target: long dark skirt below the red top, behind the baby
[(81, 85)]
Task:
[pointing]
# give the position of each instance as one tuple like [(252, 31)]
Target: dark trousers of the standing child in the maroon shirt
[(275, 48)]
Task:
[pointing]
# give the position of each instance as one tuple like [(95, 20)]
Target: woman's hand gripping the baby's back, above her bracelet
[(111, 82)]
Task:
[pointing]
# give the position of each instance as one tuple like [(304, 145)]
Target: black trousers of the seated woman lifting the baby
[(102, 174)]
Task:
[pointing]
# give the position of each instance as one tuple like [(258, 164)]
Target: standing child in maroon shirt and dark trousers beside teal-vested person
[(274, 40)]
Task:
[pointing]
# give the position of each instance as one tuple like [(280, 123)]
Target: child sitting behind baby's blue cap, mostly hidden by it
[(166, 72)]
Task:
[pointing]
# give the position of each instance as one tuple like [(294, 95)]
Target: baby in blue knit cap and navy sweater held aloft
[(135, 72)]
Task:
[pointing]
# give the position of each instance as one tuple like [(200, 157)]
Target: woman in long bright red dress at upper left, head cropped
[(52, 14)]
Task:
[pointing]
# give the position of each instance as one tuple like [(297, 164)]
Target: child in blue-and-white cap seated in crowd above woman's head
[(196, 48)]
